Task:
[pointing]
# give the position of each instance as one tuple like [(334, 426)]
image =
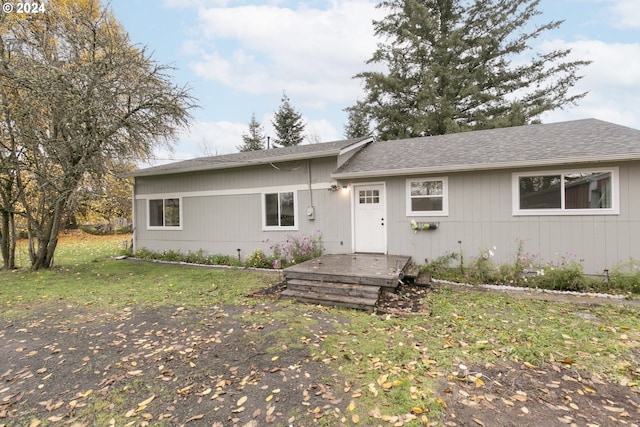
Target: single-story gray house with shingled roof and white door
[(565, 190)]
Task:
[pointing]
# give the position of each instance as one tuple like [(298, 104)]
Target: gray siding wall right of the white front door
[(480, 217)]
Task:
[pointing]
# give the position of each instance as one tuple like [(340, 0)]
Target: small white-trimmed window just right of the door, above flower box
[(427, 197)]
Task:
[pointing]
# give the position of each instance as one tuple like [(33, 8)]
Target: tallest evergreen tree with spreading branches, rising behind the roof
[(456, 65)]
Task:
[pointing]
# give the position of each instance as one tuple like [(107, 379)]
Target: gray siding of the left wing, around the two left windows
[(221, 224)]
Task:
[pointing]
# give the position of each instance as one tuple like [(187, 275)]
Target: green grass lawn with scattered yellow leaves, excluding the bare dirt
[(389, 364)]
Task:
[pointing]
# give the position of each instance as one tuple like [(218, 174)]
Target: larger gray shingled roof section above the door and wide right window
[(578, 141)]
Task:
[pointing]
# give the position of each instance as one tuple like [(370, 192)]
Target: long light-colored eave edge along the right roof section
[(482, 166)]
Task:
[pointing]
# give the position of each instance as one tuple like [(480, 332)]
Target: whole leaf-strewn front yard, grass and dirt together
[(102, 342)]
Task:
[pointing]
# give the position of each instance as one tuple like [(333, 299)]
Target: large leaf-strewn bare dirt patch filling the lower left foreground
[(165, 366)]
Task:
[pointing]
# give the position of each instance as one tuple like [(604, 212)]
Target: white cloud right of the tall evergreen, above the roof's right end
[(612, 80)]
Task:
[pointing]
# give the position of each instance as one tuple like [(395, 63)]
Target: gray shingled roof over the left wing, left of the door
[(249, 158)]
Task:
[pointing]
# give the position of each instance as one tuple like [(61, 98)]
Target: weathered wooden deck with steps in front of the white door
[(349, 280)]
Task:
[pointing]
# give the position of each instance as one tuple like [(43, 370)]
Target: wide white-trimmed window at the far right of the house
[(570, 192)]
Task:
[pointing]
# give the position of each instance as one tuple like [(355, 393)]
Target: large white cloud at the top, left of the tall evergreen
[(311, 53)]
